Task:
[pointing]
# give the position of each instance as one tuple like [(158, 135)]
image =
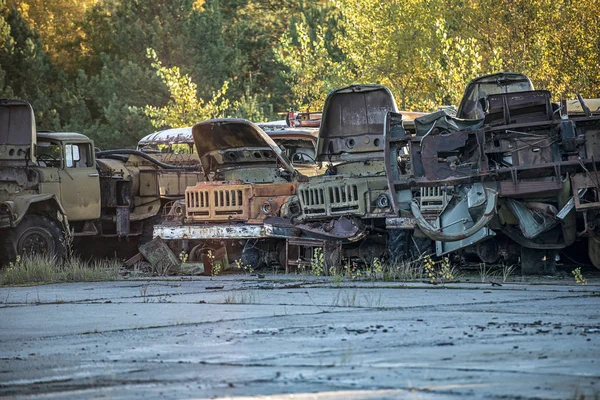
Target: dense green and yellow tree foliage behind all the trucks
[(119, 69)]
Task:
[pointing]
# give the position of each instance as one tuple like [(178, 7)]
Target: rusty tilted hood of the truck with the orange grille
[(236, 143)]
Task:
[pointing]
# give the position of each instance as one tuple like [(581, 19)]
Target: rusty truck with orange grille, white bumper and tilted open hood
[(251, 180)]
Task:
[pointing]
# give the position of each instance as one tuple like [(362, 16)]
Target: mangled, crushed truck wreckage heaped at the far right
[(515, 180)]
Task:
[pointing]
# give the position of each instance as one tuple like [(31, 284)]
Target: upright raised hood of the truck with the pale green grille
[(352, 122)]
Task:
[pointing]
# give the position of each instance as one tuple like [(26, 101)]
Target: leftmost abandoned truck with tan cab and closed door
[(54, 187)]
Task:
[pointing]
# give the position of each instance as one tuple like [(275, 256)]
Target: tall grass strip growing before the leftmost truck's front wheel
[(39, 268)]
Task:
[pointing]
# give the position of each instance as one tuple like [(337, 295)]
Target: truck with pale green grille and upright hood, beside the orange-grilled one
[(348, 204)]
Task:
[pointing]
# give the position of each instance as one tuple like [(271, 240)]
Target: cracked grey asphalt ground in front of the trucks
[(296, 337)]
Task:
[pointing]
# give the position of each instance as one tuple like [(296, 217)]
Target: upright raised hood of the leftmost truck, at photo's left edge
[(17, 130)]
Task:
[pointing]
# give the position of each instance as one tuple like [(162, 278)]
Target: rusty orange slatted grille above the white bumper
[(205, 202)]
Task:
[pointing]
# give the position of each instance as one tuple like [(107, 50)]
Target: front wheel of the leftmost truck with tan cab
[(37, 235)]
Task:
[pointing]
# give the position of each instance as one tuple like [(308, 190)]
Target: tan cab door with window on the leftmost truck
[(80, 183)]
